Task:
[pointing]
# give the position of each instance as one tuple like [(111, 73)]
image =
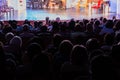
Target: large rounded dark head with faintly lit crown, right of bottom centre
[(79, 55)]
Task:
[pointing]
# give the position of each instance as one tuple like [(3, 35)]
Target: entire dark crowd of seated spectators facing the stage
[(60, 50)]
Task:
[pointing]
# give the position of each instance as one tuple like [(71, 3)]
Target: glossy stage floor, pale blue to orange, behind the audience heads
[(40, 14)]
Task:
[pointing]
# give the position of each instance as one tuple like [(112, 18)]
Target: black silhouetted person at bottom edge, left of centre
[(41, 67)]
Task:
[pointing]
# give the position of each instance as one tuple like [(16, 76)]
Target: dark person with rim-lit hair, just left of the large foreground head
[(62, 55)]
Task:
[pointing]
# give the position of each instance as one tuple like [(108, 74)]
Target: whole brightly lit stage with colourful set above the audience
[(65, 9)]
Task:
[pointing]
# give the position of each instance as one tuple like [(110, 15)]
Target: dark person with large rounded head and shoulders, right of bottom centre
[(78, 66)]
